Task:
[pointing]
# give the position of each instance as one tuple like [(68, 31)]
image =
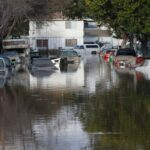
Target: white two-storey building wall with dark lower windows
[(56, 33)]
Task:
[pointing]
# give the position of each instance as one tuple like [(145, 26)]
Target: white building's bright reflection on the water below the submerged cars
[(69, 77)]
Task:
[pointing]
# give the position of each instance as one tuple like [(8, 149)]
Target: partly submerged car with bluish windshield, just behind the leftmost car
[(13, 56)]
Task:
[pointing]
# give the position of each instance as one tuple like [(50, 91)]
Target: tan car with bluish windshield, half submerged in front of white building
[(69, 56)]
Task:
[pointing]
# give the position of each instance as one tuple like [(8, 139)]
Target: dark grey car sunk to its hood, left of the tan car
[(41, 67)]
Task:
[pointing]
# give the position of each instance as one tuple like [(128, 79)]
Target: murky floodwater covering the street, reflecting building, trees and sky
[(86, 106)]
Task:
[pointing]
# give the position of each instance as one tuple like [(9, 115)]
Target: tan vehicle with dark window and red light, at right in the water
[(127, 57)]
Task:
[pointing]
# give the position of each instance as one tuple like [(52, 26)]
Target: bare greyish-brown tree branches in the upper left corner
[(13, 10)]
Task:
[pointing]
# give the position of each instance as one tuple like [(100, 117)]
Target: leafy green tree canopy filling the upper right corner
[(130, 18)]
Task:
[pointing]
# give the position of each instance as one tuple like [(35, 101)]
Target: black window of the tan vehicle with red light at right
[(126, 52)]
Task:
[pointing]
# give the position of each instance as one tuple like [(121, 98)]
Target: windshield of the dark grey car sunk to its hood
[(42, 63)]
